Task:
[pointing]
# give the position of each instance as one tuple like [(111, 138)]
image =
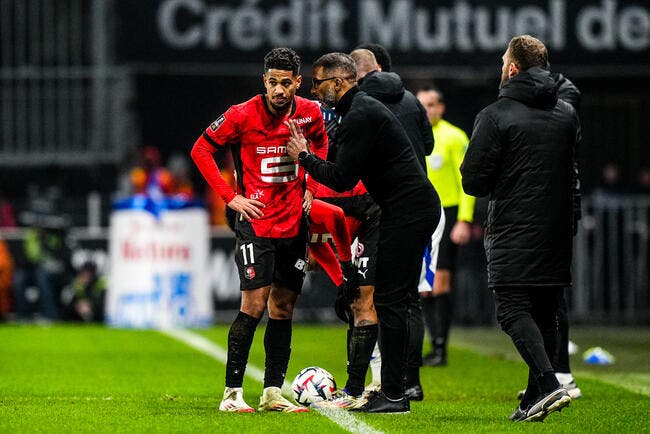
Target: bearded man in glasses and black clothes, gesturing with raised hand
[(373, 147)]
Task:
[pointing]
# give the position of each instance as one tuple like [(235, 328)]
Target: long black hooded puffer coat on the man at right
[(522, 154)]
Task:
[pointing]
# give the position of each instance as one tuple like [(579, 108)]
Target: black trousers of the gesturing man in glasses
[(399, 261)]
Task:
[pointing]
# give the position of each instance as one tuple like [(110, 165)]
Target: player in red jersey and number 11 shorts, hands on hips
[(270, 230)]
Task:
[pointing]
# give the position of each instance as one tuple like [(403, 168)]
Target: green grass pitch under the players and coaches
[(67, 378)]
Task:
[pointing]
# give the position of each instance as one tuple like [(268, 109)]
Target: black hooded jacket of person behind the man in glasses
[(388, 88)]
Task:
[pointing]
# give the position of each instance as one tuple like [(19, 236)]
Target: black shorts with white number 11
[(263, 261)]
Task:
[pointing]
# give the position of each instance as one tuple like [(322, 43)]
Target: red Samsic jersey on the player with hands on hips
[(265, 172)]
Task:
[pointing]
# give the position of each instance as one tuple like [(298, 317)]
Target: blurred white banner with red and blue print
[(158, 272)]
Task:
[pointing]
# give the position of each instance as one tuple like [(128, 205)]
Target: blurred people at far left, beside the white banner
[(39, 281)]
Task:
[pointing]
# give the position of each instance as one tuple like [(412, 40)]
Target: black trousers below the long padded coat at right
[(529, 315)]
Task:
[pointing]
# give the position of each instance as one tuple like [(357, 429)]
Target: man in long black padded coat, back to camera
[(522, 154)]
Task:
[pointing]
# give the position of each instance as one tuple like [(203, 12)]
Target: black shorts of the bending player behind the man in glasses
[(364, 209)]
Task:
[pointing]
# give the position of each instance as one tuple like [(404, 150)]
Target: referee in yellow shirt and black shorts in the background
[(443, 170)]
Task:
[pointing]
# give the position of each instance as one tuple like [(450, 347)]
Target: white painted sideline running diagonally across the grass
[(342, 418)]
